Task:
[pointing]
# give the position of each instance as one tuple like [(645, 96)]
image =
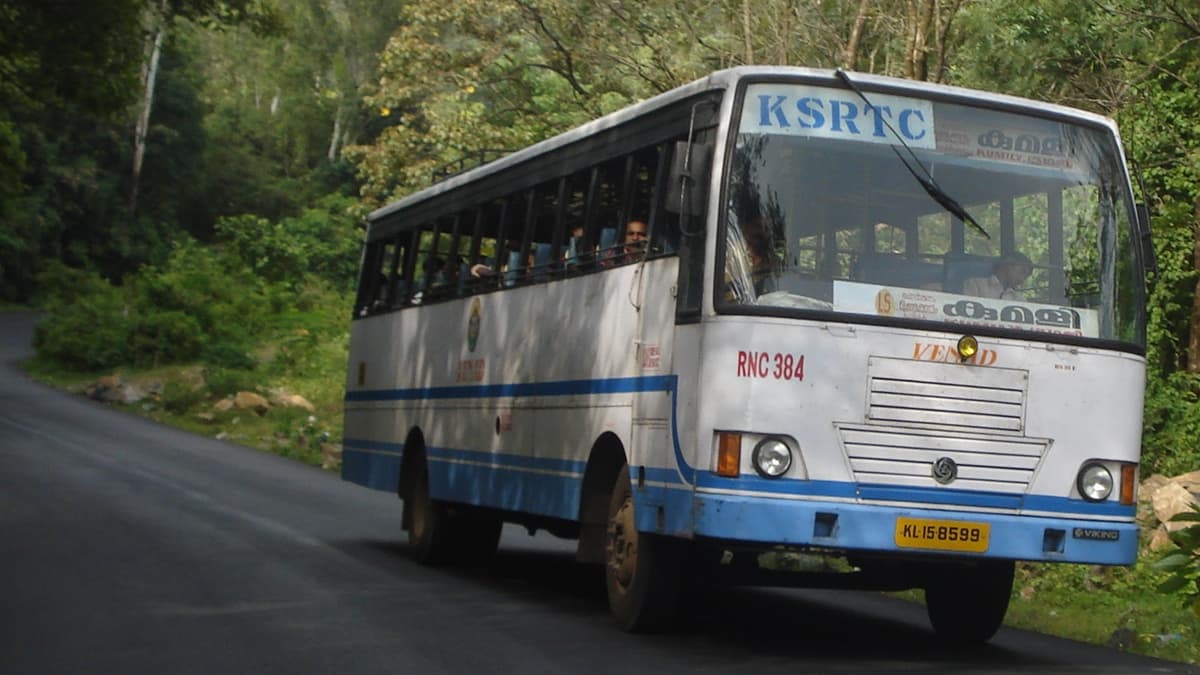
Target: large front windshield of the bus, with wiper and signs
[(823, 214)]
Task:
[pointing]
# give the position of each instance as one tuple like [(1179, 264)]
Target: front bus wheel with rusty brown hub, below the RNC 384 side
[(643, 587)]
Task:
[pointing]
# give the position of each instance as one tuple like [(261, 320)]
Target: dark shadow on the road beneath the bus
[(836, 630)]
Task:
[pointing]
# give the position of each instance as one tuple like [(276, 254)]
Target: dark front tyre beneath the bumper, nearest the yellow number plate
[(968, 605)]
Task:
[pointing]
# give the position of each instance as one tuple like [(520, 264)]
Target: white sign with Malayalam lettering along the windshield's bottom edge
[(968, 310)]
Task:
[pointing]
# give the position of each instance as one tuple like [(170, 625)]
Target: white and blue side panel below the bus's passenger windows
[(511, 391)]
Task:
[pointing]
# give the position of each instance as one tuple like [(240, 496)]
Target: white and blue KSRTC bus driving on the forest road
[(775, 314)]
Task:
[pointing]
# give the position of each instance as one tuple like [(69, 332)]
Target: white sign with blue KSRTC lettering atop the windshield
[(818, 112)]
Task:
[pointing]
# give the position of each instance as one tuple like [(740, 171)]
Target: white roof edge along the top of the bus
[(725, 80)]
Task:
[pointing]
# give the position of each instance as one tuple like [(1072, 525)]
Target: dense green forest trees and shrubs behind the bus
[(183, 183)]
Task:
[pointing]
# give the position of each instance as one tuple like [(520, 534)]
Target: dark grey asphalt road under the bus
[(128, 547)]
